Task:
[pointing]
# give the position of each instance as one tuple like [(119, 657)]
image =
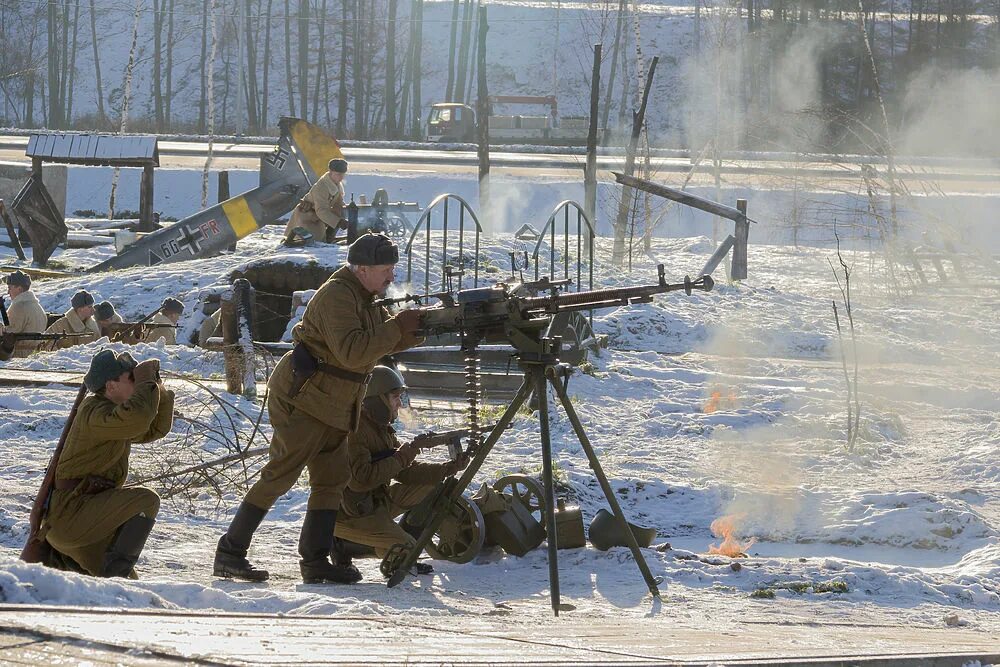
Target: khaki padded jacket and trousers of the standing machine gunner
[(342, 327)]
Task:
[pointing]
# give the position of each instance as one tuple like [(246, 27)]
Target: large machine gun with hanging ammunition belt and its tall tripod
[(501, 313)]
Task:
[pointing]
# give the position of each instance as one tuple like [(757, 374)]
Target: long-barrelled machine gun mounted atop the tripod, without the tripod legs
[(495, 313)]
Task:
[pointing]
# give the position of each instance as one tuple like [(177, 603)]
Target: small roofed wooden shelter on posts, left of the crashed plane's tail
[(101, 150)]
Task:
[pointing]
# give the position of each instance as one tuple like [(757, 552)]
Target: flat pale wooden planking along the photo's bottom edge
[(32, 634)]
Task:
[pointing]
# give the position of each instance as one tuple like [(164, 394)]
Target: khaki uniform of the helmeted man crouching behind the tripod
[(381, 488)]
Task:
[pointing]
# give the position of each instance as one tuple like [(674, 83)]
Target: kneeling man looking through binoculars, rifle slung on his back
[(92, 519)]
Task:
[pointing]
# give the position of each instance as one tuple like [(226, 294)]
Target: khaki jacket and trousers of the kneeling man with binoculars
[(99, 443)]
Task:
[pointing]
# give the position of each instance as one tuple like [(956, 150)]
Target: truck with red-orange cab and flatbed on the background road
[(452, 122)]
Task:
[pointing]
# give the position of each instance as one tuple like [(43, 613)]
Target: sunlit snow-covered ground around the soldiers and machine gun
[(903, 529)]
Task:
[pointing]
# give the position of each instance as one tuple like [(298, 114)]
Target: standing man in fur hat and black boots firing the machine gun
[(314, 401)]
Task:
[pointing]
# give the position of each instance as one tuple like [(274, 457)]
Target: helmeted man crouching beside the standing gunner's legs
[(385, 480)]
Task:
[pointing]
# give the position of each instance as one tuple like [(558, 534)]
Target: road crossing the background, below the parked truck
[(752, 170)]
